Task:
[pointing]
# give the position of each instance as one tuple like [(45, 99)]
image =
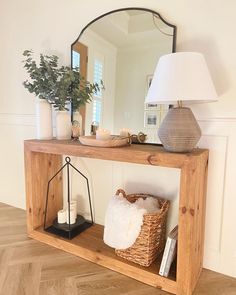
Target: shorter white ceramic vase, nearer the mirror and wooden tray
[(63, 125)]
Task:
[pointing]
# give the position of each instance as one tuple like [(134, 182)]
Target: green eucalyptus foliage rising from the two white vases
[(58, 85)]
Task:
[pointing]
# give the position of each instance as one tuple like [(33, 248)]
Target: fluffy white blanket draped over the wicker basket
[(123, 220)]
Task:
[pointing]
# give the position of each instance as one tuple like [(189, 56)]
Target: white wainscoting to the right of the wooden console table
[(219, 135)]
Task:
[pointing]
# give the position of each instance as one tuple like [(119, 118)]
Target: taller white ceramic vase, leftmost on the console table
[(43, 119)]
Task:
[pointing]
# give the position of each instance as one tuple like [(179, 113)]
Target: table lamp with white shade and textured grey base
[(181, 77)]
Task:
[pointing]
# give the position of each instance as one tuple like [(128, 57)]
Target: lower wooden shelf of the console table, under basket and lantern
[(90, 246)]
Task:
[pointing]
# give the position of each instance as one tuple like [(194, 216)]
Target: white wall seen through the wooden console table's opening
[(106, 177)]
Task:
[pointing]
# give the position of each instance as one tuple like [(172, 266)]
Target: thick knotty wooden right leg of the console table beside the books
[(191, 223)]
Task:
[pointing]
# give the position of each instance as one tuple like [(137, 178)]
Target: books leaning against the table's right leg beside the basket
[(169, 252)]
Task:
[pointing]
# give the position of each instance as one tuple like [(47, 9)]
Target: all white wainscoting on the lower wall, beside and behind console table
[(219, 135)]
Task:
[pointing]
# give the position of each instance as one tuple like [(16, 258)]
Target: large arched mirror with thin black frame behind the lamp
[(122, 49)]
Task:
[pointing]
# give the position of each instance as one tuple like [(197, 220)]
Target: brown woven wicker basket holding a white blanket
[(151, 240)]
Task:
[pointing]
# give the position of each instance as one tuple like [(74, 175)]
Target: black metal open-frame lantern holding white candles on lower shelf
[(68, 229)]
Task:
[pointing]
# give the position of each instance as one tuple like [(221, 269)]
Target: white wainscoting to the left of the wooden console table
[(14, 128)]
